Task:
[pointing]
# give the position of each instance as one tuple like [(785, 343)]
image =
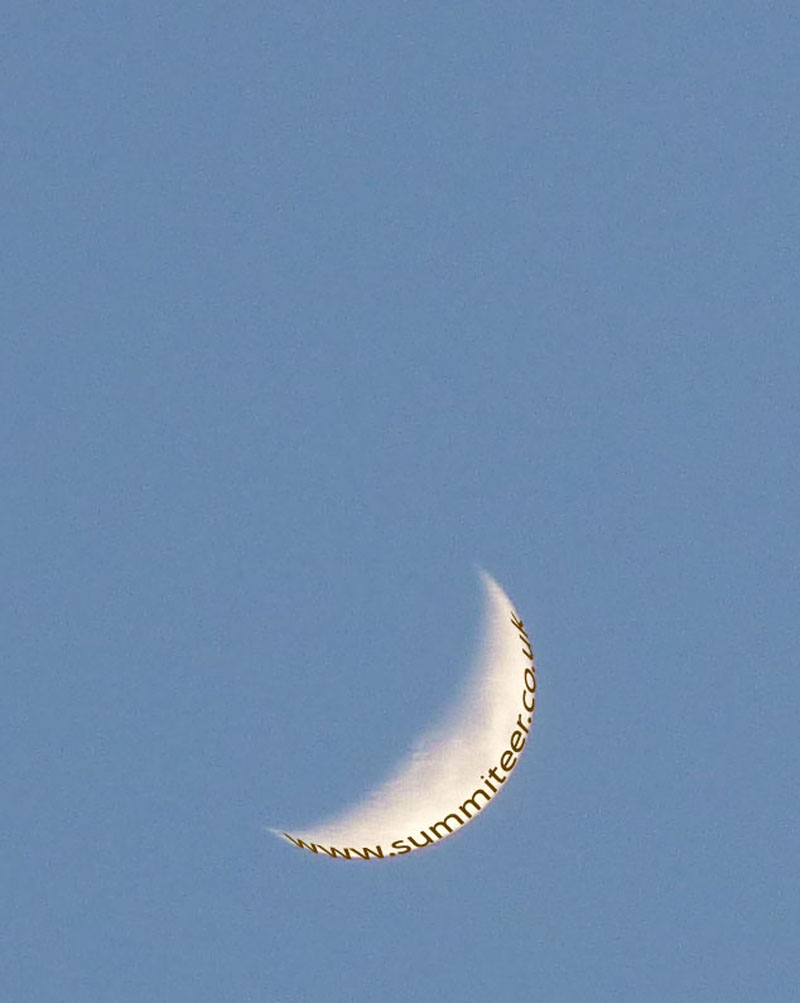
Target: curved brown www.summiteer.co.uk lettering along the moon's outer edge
[(493, 780)]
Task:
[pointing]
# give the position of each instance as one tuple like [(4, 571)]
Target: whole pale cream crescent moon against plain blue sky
[(458, 769)]
